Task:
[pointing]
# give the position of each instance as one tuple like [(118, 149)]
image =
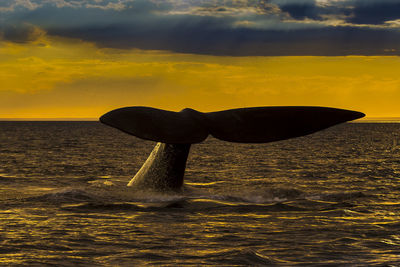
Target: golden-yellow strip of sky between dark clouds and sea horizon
[(58, 78)]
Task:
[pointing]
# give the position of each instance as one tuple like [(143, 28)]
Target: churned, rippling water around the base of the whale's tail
[(106, 195)]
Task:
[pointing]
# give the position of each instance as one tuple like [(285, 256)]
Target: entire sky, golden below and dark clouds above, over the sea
[(82, 58)]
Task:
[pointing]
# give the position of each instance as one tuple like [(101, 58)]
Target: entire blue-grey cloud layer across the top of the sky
[(238, 28)]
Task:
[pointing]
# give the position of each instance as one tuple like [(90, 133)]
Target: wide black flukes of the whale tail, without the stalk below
[(243, 125)]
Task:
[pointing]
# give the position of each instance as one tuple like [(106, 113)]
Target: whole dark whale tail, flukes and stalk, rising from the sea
[(175, 132)]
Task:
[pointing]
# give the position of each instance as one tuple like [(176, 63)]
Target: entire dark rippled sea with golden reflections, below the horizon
[(329, 198)]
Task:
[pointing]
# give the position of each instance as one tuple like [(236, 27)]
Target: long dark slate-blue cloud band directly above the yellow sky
[(200, 39)]
